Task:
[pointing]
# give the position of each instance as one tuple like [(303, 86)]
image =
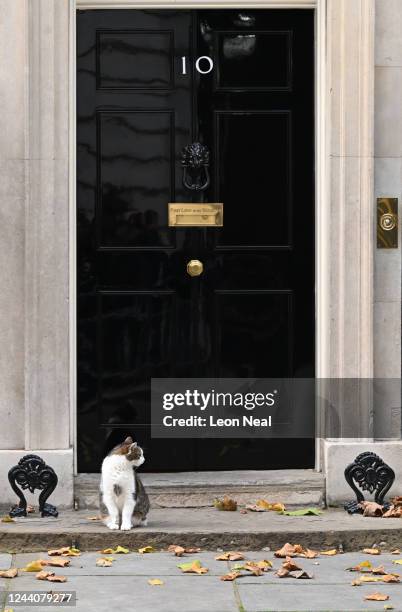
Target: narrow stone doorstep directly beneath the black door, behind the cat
[(199, 489)]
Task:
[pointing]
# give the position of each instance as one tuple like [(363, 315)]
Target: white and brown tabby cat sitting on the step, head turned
[(121, 489)]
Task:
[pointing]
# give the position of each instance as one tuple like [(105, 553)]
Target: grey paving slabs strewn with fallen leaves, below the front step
[(125, 584)]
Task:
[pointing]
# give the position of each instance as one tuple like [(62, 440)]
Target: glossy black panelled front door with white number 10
[(149, 83)]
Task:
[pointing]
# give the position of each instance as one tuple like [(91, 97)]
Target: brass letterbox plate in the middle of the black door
[(195, 215)]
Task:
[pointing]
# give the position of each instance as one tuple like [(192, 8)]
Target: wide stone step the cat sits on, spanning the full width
[(206, 528)]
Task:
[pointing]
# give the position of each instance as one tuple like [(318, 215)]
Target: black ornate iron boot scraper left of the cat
[(32, 473)]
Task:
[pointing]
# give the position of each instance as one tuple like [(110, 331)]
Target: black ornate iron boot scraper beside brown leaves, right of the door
[(369, 472)]
